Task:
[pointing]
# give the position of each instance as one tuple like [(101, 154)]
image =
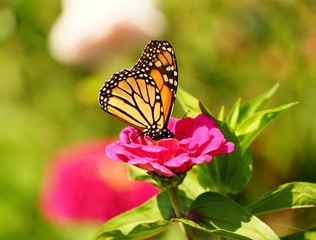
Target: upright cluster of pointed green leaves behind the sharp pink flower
[(232, 172)]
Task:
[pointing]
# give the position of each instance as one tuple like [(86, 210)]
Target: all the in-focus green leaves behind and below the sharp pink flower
[(211, 212)]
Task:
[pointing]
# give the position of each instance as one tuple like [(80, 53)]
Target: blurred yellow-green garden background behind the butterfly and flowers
[(225, 50)]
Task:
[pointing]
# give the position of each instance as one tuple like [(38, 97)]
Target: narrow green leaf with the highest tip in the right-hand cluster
[(252, 106)]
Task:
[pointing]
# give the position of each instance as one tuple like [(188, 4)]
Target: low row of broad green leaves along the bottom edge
[(212, 213)]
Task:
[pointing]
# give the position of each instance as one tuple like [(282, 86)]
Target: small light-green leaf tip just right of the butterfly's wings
[(189, 103)]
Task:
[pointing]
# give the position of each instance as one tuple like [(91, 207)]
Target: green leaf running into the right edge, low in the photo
[(289, 195)]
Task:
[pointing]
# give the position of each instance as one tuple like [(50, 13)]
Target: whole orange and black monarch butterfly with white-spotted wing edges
[(144, 96)]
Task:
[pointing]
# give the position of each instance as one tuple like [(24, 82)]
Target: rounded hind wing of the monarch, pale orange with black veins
[(133, 97)]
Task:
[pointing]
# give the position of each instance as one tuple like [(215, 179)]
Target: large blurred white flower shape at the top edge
[(87, 30)]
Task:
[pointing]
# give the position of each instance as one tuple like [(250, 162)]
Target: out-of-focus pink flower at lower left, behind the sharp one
[(82, 184)]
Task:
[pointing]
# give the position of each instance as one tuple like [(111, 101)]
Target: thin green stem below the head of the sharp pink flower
[(174, 196)]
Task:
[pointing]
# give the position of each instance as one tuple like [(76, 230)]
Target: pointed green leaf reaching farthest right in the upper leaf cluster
[(251, 126)]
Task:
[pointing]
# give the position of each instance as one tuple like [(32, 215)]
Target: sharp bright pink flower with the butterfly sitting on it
[(196, 141)]
